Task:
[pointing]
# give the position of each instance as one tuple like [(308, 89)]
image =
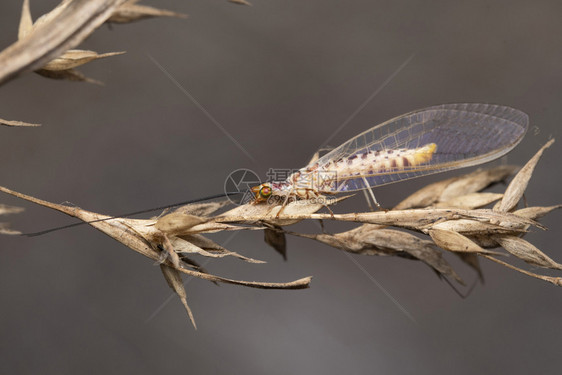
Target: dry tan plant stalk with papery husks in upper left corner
[(53, 35)]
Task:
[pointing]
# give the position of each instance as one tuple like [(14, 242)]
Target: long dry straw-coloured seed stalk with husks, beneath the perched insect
[(449, 213)]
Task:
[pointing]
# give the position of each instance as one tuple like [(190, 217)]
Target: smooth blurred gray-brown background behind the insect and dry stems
[(280, 77)]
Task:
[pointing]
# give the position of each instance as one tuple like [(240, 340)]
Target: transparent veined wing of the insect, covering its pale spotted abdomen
[(458, 135)]
